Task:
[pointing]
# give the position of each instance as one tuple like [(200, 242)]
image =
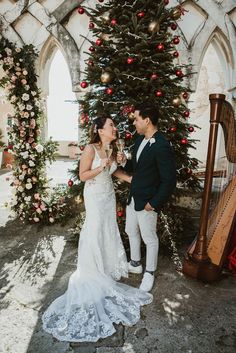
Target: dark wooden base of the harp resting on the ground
[(206, 271)]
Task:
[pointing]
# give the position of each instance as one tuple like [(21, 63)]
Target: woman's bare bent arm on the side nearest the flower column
[(86, 160)]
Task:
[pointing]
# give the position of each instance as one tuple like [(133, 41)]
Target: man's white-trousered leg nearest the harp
[(147, 221)]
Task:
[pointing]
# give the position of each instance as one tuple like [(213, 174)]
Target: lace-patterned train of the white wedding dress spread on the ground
[(90, 322)]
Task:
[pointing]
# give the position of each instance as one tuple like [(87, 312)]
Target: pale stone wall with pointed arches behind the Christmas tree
[(208, 28)]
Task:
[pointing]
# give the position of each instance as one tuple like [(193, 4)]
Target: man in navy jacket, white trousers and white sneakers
[(154, 179)]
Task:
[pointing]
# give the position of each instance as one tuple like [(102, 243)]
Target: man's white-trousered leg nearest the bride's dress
[(132, 229)]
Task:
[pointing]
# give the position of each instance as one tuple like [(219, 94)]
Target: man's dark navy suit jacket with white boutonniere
[(154, 175)]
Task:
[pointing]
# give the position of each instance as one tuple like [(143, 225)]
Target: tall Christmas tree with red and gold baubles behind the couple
[(133, 57)]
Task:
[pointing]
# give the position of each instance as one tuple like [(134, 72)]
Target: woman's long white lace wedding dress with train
[(94, 300)]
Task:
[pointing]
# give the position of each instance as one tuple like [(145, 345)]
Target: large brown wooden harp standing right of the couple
[(207, 254)]
